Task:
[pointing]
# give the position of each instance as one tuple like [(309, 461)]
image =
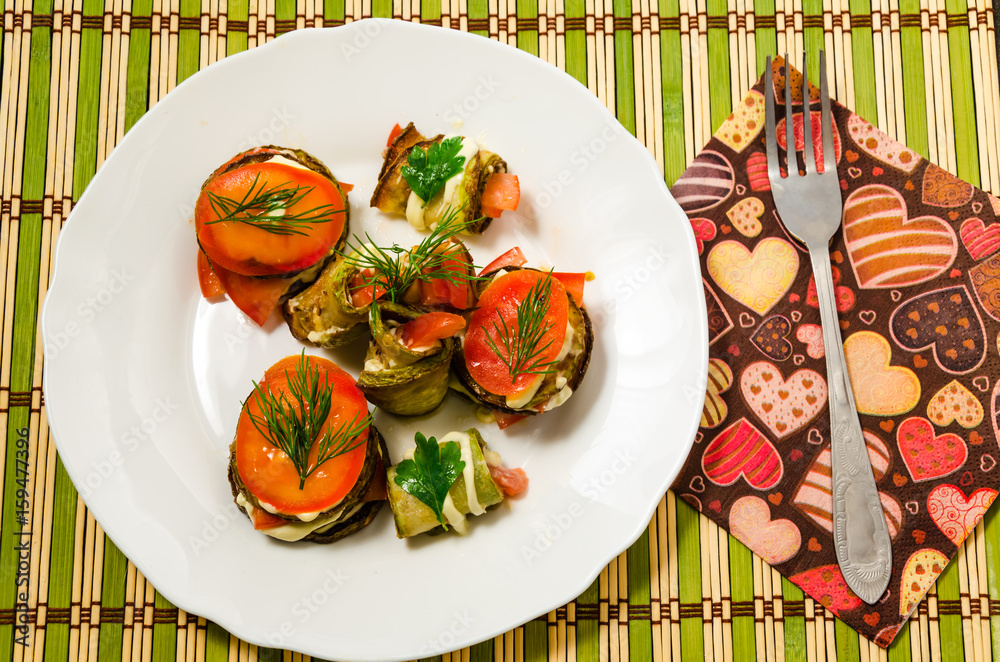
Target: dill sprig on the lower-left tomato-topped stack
[(294, 425)]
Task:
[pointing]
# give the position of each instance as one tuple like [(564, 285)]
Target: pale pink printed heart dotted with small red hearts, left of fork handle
[(784, 406)]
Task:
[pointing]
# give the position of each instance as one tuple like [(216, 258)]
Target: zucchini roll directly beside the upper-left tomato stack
[(325, 313)]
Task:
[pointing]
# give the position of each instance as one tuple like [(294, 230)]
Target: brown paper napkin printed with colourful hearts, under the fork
[(916, 268)]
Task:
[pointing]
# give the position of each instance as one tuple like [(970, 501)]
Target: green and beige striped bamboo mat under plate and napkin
[(77, 74)]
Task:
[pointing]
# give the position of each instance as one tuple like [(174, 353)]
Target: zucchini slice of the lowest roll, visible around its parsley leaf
[(413, 517)]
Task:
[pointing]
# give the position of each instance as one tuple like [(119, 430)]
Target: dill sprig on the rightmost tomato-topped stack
[(520, 347)]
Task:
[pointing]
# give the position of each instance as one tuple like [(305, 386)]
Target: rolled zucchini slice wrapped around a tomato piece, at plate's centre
[(396, 378)]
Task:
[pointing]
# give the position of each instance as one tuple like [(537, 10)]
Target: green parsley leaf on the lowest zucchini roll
[(431, 473)]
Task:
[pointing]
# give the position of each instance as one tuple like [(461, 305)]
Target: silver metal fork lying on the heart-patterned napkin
[(810, 206)]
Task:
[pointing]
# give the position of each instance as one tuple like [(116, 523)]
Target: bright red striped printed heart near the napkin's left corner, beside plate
[(741, 451)]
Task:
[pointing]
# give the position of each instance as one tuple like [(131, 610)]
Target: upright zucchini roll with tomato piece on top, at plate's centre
[(407, 365)]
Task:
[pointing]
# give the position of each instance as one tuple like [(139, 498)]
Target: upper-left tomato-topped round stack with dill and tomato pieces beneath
[(267, 222)]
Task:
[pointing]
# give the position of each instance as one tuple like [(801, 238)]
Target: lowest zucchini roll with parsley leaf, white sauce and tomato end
[(439, 483)]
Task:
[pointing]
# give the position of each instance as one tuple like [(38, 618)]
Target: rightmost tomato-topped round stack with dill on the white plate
[(527, 346)]
